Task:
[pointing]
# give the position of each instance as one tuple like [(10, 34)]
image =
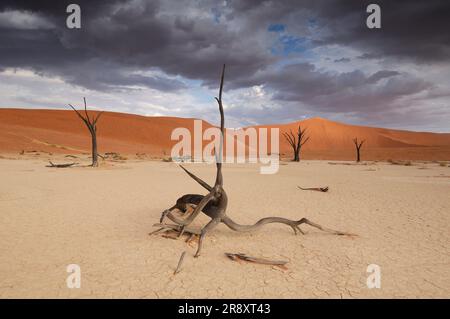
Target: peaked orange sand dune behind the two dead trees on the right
[(333, 140)]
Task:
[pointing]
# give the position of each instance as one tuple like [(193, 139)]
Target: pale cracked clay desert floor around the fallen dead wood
[(100, 219)]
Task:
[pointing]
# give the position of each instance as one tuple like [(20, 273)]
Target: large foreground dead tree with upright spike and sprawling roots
[(214, 204)]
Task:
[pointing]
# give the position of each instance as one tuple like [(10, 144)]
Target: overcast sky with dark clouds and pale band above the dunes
[(286, 60)]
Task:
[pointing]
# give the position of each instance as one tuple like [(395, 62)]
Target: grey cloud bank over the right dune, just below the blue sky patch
[(339, 92)]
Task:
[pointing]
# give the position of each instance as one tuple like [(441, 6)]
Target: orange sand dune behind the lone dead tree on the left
[(59, 131)]
